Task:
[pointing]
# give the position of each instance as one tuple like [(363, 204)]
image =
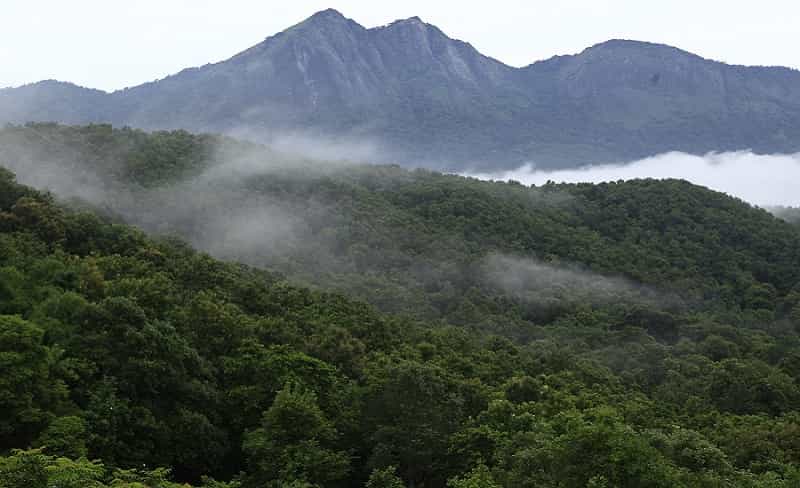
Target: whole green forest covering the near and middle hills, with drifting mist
[(389, 327)]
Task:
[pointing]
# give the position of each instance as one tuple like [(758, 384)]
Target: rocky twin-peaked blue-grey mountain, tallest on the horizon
[(328, 75)]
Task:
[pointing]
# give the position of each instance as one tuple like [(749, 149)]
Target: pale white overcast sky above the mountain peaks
[(110, 44)]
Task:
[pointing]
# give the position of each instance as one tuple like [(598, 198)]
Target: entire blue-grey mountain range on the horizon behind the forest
[(422, 98)]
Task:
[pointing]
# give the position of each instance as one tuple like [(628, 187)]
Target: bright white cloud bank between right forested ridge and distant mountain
[(764, 180)]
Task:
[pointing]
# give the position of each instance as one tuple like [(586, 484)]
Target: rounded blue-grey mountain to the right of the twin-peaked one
[(629, 99)]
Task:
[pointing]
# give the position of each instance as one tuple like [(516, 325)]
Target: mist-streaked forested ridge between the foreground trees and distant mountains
[(417, 242)]
